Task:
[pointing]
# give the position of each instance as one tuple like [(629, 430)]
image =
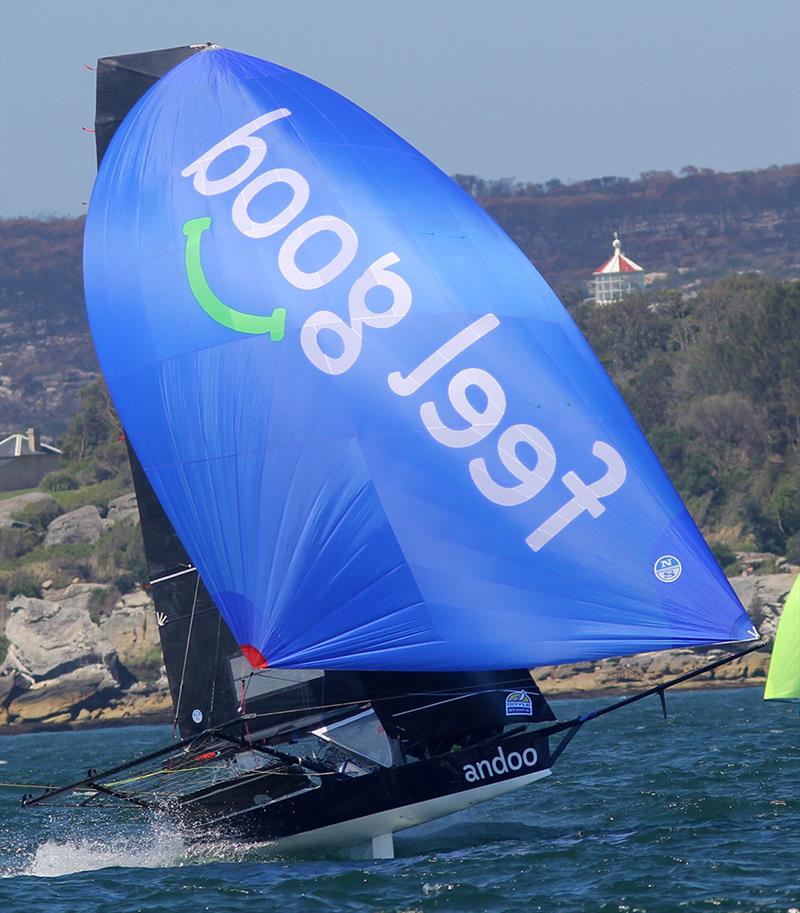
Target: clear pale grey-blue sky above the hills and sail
[(532, 90)]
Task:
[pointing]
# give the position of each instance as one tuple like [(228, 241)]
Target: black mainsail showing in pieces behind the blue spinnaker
[(209, 679)]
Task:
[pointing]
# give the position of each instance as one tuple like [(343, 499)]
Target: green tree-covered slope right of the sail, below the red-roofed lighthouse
[(714, 381)]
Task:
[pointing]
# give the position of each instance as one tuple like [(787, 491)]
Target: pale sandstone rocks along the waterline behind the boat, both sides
[(69, 666)]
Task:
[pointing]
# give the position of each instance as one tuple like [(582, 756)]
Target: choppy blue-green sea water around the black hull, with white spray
[(697, 812)]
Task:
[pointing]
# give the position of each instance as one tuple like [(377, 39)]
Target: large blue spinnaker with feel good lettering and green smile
[(378, 434)]
